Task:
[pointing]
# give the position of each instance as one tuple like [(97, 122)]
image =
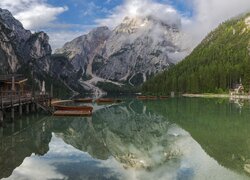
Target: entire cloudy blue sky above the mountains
[(64, 20)]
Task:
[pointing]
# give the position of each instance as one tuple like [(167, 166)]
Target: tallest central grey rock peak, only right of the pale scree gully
[(137, 49)]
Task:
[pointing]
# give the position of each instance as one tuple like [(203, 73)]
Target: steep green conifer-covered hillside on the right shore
[(215, 66)]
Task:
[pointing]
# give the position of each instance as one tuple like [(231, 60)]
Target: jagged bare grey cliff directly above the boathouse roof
[(20, 47)]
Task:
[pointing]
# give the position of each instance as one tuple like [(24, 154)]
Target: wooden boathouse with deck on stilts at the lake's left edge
[(16, 96)]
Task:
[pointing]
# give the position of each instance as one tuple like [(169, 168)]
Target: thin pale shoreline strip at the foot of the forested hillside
[(247, 97)]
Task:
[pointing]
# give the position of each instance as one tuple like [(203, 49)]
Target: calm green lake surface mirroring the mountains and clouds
[(173, 139)]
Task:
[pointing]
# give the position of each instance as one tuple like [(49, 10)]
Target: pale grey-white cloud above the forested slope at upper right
[(208, 14)]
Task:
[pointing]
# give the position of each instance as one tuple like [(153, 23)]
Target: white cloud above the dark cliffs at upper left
[(37, 14)]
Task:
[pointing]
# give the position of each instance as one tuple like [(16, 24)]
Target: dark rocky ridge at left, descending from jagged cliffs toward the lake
[(23, 52)]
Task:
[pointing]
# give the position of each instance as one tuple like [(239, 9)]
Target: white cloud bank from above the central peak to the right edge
[(207, 14)]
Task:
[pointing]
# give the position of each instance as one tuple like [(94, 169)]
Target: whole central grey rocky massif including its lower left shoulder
[(132, 52)]
